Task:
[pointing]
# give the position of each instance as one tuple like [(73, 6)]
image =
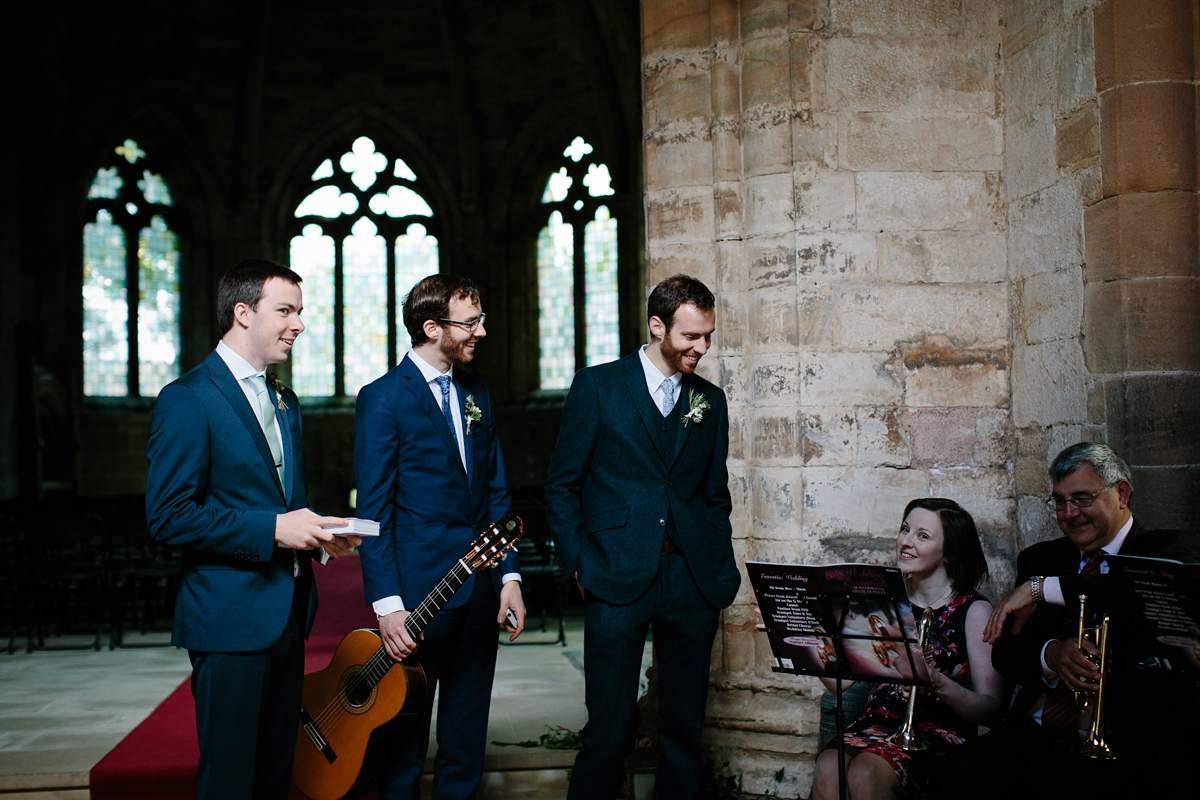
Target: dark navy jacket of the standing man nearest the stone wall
[(610, 491)]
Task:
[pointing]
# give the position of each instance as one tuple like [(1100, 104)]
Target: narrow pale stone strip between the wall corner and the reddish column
[(1052, 173)]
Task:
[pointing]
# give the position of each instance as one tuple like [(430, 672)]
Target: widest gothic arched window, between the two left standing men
[(363, 238)]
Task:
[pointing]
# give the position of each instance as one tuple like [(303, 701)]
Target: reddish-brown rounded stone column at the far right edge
[(1142, 309)]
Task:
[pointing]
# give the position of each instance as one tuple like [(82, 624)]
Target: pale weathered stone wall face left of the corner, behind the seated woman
[(835, 171)]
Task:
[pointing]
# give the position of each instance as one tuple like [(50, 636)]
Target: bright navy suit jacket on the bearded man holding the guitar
[(413, 484)]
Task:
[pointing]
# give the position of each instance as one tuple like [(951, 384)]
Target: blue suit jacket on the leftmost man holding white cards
[(213, 491)]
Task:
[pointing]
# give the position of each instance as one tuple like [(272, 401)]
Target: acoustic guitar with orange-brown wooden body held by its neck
[(355, 708)]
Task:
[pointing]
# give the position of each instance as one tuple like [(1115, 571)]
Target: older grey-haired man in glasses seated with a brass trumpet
[(1149, 712)]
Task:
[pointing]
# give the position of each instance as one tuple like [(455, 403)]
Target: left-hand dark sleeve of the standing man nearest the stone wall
[(569, 470)]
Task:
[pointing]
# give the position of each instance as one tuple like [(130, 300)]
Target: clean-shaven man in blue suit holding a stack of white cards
[(226, 484)]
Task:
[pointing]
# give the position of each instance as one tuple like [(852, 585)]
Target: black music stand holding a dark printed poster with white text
[(843, 622)]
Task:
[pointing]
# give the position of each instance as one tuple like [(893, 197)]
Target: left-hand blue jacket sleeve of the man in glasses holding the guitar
[(376, 450)]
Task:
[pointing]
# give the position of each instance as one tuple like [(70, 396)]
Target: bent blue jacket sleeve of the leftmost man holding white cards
[(181, 455)]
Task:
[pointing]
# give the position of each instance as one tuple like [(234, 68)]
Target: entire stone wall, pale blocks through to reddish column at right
[(949, 239)]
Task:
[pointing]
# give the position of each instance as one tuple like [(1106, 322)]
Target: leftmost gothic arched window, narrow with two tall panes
[(131, 339)]
